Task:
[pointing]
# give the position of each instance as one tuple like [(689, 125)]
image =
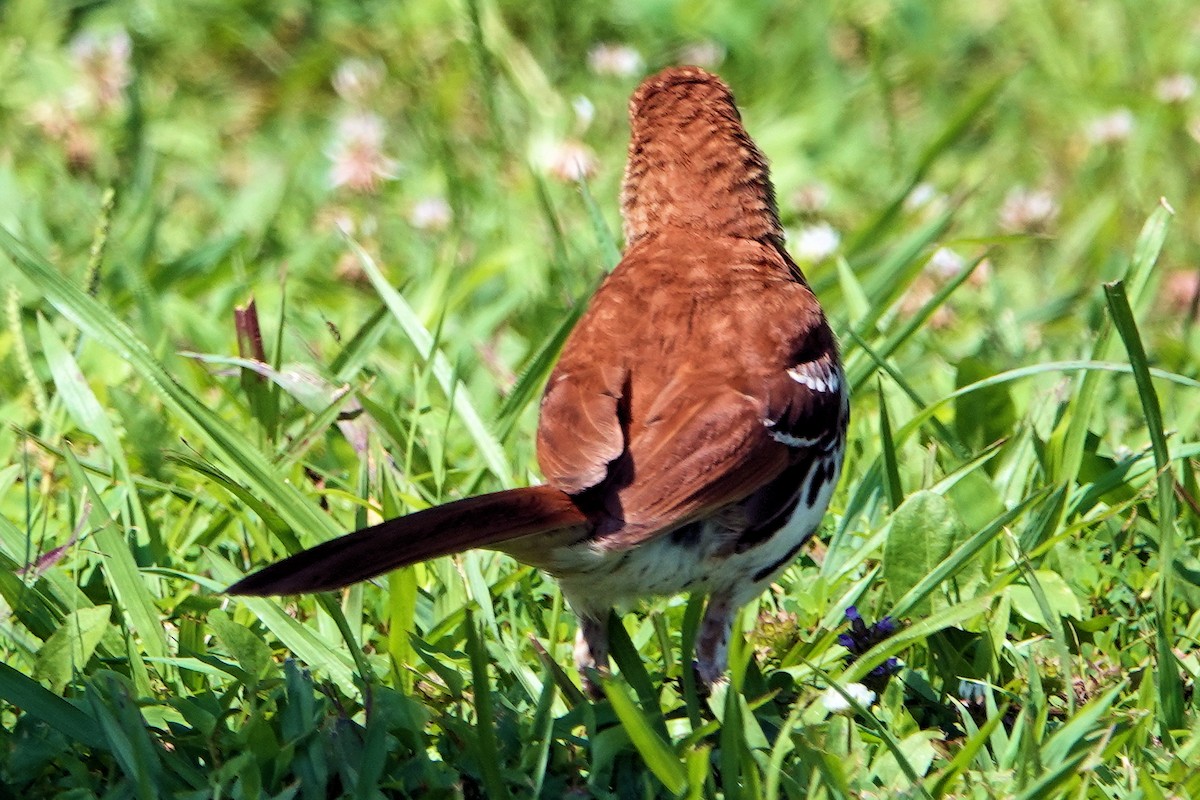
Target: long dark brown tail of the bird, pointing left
[(483, 521)]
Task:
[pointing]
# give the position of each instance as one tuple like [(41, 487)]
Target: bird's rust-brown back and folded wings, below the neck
[(663, 424)]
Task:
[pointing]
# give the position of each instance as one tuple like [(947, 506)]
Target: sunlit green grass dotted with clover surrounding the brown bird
[(1021, 489)]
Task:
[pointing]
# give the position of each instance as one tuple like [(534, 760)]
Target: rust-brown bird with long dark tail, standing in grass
[(694, 428)]
